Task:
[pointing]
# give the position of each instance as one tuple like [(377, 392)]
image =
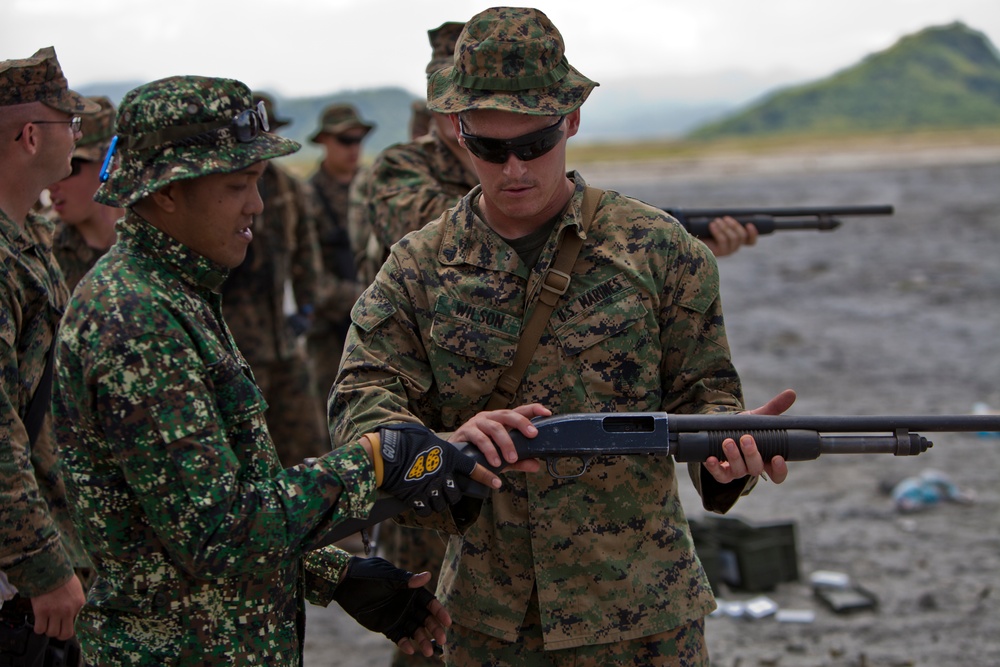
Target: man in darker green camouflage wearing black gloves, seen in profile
[(204, 547)]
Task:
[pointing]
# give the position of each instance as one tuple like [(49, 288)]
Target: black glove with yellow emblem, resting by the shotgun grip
[(418, 467)]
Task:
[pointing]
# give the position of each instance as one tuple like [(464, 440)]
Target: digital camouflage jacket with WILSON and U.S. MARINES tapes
[(640, 329)]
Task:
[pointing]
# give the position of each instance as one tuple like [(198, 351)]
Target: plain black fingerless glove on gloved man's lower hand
[(375, 593)]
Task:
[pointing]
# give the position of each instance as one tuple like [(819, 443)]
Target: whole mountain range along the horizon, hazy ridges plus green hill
[(945, 77)]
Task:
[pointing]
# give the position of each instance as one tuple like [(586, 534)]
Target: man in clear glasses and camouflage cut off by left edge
[(40, 550)]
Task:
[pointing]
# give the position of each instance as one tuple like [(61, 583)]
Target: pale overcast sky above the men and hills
[(314, 47)]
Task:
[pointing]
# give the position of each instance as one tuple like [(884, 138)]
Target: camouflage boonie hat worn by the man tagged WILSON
[(509, 59)]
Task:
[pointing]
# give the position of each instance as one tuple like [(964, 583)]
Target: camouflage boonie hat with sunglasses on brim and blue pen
[(180, 128)]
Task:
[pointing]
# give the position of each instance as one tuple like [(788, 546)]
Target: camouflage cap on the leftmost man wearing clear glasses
[(40, 79)]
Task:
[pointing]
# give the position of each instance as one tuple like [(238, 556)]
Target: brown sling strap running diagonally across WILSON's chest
[(554, 285)]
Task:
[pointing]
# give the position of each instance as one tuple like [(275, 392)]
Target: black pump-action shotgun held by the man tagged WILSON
[(568, 443)]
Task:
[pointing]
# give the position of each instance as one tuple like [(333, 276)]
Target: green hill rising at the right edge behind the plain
[(945, 77)]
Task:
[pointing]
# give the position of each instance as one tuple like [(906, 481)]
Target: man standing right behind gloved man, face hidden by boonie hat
[(284, 251)]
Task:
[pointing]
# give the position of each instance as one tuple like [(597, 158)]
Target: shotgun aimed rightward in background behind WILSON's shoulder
[(769, 220)]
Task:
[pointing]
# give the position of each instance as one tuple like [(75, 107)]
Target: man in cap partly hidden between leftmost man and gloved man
[(85, 228)]
